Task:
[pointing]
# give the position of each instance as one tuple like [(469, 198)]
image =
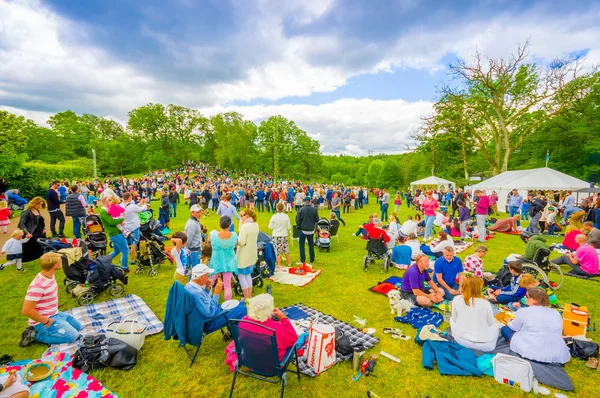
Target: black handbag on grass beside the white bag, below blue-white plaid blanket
[(98, 352)]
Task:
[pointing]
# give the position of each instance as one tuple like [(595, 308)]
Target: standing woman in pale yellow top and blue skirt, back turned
[(246, 252)]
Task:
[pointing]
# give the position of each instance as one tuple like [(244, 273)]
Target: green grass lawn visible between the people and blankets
[(341, 290)]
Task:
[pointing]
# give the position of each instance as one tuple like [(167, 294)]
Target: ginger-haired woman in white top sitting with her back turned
[(472, 322)]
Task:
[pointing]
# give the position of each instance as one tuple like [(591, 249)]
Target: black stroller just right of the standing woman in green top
[(150, 249)]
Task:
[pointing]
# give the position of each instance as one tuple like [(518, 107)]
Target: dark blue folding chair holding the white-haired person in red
[(257, 351)]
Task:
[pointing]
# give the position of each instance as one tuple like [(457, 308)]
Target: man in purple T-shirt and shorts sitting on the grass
[(413, 284)]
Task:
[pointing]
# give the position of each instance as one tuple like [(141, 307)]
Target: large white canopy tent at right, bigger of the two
[(544, 178)]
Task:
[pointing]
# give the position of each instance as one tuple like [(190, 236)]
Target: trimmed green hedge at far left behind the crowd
[(35, 177)]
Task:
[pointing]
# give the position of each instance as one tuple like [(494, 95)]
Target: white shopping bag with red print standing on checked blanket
[(321, 347)]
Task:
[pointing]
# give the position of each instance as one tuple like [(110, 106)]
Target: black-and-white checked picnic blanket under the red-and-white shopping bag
[(356, 336)]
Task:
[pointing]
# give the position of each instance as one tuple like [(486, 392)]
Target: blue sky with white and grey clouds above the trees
[(356, 75)]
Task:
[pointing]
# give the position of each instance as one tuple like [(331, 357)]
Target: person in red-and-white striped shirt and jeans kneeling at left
[(46, 323)]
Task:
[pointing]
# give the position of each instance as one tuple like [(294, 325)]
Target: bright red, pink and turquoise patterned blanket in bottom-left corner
[(64, 382)]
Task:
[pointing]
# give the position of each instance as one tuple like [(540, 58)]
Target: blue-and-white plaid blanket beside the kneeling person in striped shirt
[(95, 317)]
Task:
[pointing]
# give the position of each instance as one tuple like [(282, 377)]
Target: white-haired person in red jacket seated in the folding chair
[(261, 310)]
